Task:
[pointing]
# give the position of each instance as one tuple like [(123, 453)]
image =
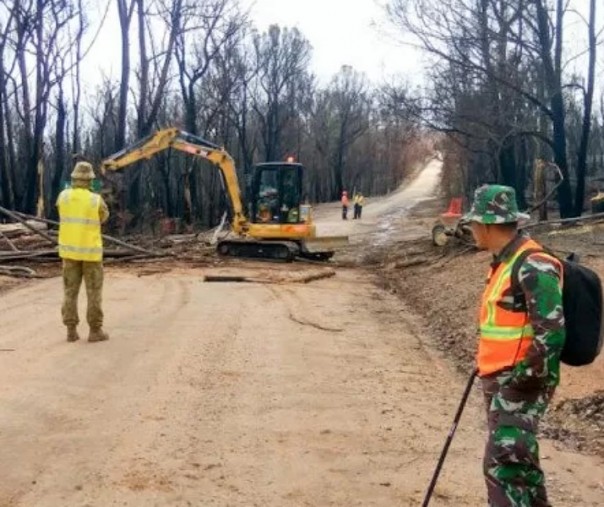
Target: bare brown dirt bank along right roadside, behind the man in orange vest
[(444, 286)]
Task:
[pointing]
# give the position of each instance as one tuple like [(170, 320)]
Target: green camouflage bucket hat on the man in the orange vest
[(495, 204)]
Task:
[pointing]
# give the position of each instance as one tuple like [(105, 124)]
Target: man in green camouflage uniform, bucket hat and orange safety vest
[(517, 391)]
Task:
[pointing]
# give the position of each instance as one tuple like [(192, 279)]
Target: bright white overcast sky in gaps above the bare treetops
[(341, 32)]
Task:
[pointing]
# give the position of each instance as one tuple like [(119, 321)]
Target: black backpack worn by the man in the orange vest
[(582, 303)]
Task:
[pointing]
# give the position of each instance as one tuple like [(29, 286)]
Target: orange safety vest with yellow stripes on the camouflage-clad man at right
[(505, 336)]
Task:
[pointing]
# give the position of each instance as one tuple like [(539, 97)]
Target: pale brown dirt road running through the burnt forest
[(240, 394)]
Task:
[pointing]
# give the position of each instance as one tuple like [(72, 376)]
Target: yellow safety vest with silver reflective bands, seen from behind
[(80, 229)]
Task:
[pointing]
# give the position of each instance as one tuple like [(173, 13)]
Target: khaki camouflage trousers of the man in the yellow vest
[(73, 273)]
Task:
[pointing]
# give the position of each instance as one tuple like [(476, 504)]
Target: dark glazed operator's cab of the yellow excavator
[(276, 193)]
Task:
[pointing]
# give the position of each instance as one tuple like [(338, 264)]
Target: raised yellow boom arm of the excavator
[(176, 139)]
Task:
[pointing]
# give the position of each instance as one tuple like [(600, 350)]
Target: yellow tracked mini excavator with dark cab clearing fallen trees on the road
[(281, 227)]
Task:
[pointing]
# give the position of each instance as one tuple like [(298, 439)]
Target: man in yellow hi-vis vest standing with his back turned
[(81, 214)]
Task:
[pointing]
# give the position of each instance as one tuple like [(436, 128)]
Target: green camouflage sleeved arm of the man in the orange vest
[(540, 280)]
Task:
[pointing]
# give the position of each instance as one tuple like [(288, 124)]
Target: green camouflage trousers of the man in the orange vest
[(513, 475)]
